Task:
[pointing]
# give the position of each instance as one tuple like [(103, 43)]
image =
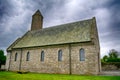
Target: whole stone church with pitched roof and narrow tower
[(71, 48)]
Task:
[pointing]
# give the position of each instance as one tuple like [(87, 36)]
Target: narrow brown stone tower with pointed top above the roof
[(37, 21)]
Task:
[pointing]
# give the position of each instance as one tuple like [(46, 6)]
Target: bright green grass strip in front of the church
[(36, 76)]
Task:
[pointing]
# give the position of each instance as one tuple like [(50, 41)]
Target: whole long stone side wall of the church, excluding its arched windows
[(51, 63)]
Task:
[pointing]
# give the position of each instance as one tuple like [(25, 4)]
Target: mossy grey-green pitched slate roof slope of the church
[(67, 33)]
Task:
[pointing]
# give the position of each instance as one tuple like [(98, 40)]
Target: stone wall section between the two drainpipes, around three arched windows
[(50, 63)]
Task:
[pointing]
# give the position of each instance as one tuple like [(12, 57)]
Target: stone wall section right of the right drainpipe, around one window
[(90, 65)]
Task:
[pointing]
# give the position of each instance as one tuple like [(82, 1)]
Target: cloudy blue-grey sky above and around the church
[(16, 15)]
